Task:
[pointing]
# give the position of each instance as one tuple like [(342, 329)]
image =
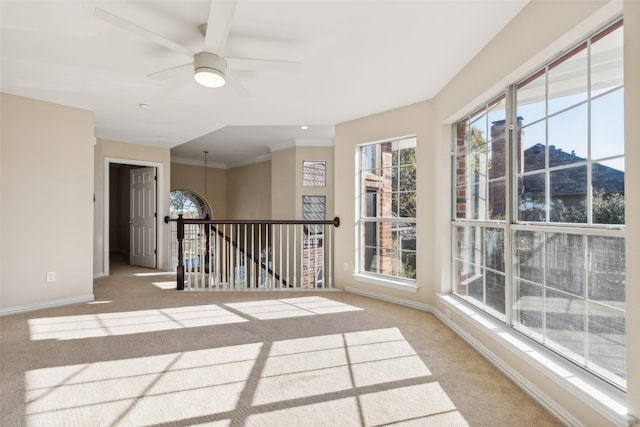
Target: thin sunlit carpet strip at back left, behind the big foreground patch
[(129, 322)]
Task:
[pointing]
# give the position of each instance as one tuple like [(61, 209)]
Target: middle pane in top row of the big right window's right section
[(567, 83)]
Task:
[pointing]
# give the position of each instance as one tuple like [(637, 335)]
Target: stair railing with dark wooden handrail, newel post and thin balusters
[(244, 254)]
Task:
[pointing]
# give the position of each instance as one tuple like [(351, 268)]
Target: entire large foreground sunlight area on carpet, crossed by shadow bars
[(363, 378)]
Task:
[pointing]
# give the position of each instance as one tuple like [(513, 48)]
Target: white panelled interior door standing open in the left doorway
[(142, 222)]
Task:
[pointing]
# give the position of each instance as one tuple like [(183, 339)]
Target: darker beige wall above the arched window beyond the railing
[(189, 177)]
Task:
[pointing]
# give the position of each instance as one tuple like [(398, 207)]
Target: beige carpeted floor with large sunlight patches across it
[(143, 354)]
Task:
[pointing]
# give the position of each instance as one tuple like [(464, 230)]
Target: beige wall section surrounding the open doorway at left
[(121, 152)]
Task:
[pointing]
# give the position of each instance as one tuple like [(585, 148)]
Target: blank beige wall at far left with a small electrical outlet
[(47, 203)]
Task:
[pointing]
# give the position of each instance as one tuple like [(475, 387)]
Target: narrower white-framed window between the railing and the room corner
[(387, 209)]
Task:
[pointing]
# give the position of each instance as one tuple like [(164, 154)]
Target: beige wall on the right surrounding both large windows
[(517, 50)]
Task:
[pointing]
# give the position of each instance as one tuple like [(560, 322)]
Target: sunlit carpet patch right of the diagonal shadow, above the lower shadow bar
[(301, 368)]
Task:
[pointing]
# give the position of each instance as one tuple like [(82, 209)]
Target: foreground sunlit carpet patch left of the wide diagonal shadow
[(140, 391)]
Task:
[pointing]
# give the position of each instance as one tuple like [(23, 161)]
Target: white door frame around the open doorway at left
[(159, 204)]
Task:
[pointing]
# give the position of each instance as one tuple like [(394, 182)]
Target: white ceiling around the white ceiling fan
[(357, 58)]
